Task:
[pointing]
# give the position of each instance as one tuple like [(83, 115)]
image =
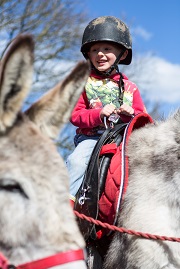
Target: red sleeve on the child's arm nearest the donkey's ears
[(84, 117)]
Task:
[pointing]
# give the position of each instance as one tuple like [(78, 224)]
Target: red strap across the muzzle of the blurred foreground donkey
[(57, 259)]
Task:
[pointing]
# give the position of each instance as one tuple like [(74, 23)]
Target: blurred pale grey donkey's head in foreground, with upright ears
[(36, 219)]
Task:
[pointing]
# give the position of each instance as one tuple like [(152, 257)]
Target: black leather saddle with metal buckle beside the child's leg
[(94, 179)]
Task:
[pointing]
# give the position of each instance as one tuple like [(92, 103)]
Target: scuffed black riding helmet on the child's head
[(107, 28)]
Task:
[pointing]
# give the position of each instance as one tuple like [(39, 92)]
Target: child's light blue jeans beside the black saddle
[(78, 160)]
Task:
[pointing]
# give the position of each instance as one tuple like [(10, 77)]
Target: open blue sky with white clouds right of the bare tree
[(155, 29)]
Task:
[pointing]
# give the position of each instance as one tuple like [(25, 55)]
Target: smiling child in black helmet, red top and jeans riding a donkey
[(108, 96)]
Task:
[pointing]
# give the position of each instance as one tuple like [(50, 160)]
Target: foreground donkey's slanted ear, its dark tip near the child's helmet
[(55, 107)]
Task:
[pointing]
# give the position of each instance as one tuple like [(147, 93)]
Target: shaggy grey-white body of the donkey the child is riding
[(152, 201)]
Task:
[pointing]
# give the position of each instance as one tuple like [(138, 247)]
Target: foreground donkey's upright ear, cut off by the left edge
[(15, 78)]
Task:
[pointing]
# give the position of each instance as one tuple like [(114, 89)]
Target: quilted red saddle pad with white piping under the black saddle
[(117, 176)]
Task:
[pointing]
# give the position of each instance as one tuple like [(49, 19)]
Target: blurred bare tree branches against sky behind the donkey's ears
[(56, 27)]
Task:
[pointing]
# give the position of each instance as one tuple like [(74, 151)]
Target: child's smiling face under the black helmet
[(103, 55)]
